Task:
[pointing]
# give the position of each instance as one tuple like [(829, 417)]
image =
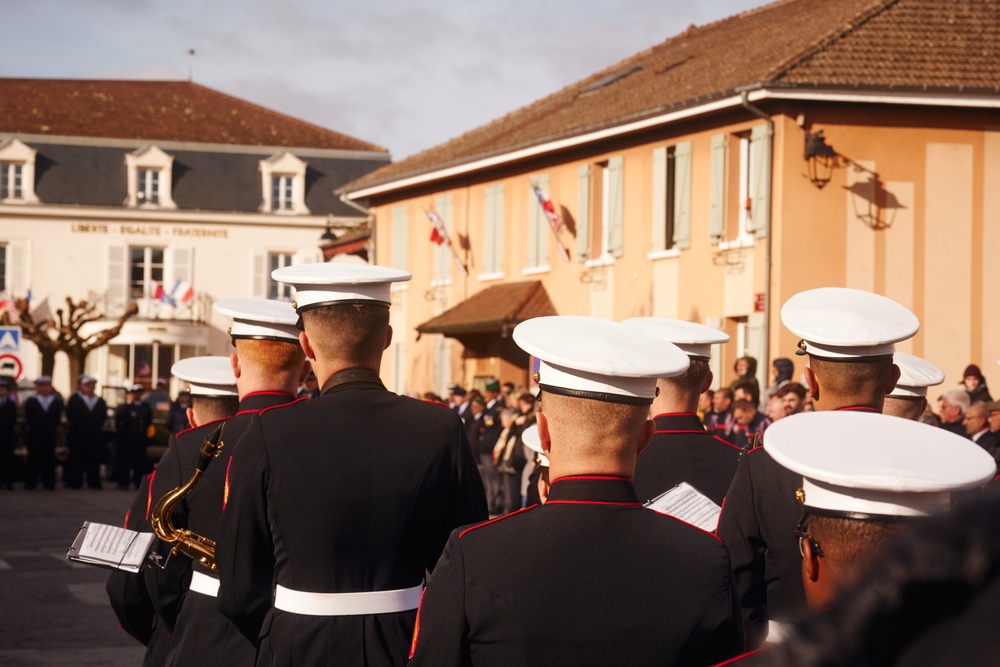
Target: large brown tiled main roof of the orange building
[(950, 44)]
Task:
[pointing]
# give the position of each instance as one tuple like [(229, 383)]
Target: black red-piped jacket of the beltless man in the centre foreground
[(614, 584)]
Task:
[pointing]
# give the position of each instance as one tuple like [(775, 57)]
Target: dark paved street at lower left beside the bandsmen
[(52, 612)]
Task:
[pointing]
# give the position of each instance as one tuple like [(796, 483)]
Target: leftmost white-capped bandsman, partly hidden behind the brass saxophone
[(146, 603)]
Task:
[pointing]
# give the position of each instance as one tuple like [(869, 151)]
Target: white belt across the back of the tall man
[(347, 604)]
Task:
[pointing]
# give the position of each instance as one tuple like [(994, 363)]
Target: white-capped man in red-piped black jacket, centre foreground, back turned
[(618, 583)]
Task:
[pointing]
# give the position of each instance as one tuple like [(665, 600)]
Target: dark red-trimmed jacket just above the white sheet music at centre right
[(683, 451)]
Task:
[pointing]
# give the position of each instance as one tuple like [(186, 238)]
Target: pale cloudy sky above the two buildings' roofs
[(405, 75)]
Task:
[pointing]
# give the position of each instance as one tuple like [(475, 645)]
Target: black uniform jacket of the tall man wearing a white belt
[(353, 491)]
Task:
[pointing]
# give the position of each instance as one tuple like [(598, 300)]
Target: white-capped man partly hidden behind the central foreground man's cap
[(682, 450)]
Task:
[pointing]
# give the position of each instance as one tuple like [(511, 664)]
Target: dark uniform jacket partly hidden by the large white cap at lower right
[(758, 524)]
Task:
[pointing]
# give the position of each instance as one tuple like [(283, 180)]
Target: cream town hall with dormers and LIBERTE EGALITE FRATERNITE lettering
[(166, 195)]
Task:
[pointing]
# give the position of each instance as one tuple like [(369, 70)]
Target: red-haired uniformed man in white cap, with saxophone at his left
[(268, 366)]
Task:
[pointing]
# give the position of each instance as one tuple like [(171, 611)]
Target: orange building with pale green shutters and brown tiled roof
[(709, 179)]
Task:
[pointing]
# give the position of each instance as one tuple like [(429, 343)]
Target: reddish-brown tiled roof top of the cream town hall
[(154, 111)]
